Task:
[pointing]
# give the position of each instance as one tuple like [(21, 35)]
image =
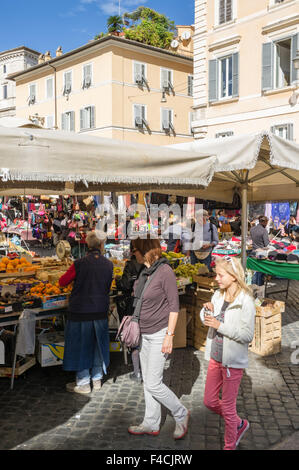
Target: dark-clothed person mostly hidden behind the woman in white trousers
[(125, 284)]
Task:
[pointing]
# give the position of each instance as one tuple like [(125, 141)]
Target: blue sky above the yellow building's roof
[(43, 25)]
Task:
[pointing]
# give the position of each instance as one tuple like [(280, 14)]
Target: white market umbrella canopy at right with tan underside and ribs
[(267, 164)]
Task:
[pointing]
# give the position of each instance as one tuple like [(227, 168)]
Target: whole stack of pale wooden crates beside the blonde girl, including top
[(267, 334)]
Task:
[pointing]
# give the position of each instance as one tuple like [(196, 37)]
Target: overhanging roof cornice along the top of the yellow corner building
[(98, 45)]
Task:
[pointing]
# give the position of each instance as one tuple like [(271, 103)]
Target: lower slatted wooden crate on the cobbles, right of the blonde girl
[(267, 335)]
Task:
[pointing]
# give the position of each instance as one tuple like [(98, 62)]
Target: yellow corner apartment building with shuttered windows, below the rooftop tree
[(114, 88)]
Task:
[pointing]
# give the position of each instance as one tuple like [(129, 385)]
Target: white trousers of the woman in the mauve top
[(156, 393)]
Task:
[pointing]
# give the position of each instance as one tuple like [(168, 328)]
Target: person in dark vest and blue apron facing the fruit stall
[(86, 332)]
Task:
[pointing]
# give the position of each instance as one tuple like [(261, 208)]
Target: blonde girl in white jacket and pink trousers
[(230, 317)]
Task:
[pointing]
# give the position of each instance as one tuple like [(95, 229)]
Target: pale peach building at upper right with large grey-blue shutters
[(245, 79)]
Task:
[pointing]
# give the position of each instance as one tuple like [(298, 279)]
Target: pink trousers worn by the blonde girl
[(227, 380)]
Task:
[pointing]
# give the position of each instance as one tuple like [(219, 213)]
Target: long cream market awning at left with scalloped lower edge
[(64, 162)]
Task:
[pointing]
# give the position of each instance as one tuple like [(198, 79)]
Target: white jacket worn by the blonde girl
[(237, 329)]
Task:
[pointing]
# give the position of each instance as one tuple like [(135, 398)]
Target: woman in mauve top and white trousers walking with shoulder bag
[(158, 301)]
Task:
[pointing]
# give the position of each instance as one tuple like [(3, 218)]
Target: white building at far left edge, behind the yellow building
[(11, 61)]
